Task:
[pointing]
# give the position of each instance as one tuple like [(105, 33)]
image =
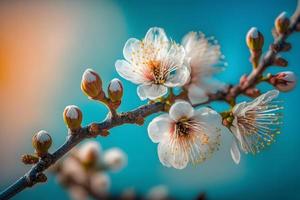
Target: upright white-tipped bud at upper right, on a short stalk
[(254, 39)]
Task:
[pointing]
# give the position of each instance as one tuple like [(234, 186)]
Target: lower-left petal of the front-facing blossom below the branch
[(164, 153)]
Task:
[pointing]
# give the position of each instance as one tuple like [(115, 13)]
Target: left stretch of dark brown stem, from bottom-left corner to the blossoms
[(32, 177)]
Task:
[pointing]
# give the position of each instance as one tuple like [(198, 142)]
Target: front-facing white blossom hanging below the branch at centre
[(185, 135)]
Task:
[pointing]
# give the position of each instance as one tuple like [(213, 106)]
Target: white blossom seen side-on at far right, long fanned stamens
[(255, 124)]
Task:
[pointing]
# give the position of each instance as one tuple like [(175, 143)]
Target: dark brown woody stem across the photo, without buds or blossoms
[(35, 174)]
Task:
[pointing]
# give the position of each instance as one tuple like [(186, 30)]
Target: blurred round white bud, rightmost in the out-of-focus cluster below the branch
[(115, 159)]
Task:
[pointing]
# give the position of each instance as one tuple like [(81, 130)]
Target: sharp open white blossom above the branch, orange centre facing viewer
[(154, 63)]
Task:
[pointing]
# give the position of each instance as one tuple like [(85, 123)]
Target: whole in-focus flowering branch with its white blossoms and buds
[(183, 132)]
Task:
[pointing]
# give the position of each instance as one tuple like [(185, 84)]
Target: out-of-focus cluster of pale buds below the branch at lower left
[(83, 173)]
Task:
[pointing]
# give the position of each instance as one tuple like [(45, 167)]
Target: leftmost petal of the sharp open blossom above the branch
[(127, 71)]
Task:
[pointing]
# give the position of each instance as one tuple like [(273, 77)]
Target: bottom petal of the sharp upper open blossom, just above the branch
[(152, 91)]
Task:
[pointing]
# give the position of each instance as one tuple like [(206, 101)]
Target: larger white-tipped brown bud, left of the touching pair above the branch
[(91, 84)]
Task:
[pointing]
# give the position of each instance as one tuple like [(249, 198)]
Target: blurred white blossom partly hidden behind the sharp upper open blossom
[(202, 57)]
